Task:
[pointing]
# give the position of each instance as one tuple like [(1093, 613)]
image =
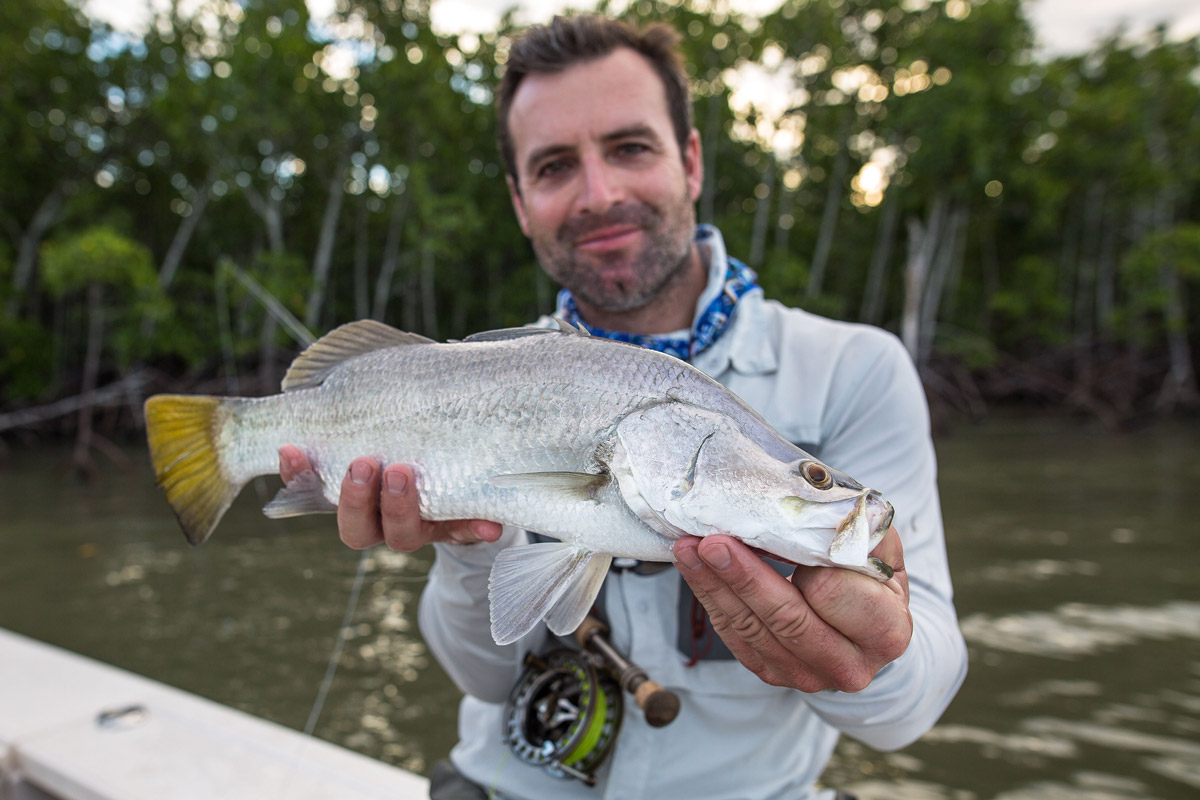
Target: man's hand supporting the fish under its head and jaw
[(824, 629)]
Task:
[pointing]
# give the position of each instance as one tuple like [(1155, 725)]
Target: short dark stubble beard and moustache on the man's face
[(664, 258)]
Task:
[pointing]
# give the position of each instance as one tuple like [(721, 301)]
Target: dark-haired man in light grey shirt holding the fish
[(604, 171)]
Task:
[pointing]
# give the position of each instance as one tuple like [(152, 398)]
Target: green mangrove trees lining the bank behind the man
[(242, 134)]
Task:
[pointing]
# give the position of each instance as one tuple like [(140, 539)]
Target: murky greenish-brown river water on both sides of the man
[(1072, 550)]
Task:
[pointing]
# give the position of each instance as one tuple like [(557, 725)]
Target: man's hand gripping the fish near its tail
[(369, 515)]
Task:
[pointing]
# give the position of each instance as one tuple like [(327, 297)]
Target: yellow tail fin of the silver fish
[(183, 434)]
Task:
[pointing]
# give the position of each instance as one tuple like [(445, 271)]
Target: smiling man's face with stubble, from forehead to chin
[(605, 196)]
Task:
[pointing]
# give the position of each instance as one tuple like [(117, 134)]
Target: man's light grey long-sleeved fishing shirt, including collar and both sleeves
[(850, 395)]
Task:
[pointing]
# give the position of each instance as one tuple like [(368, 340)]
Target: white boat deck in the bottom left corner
[(73, 729)]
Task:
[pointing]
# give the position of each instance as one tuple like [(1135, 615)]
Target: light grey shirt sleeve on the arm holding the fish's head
[(875, 426)]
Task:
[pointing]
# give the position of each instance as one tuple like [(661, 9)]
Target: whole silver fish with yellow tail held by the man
[(611, 449)]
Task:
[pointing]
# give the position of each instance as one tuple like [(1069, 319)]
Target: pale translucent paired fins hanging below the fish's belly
[(550, 580)]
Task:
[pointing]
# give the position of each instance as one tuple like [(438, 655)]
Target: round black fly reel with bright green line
[(565, 714)]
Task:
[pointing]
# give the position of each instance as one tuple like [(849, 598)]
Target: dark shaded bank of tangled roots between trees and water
[(1120, 388)]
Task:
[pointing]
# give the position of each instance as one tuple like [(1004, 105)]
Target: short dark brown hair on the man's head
[(567, 41)]
